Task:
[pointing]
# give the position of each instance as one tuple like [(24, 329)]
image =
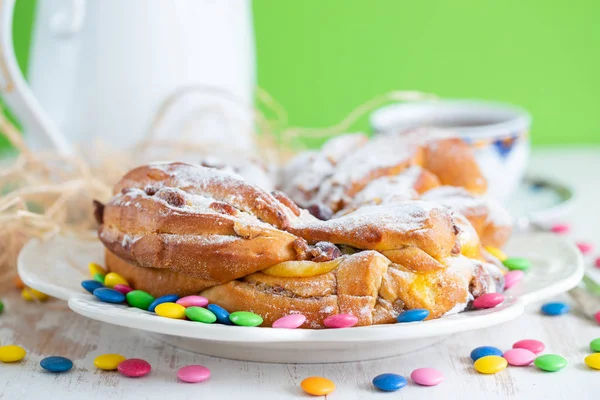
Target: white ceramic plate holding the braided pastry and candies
[(57, 267)]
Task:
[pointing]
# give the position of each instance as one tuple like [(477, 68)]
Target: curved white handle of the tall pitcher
[(16, 92)]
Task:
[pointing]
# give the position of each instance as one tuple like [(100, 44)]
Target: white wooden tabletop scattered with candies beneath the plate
[(51, 329)]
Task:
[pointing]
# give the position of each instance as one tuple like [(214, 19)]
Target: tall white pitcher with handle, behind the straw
[(102, 68)]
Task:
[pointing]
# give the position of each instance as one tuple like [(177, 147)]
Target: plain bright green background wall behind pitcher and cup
[(321, 58)]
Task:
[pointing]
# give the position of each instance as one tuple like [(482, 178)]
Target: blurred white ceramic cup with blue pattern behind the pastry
[(498, 133)]
